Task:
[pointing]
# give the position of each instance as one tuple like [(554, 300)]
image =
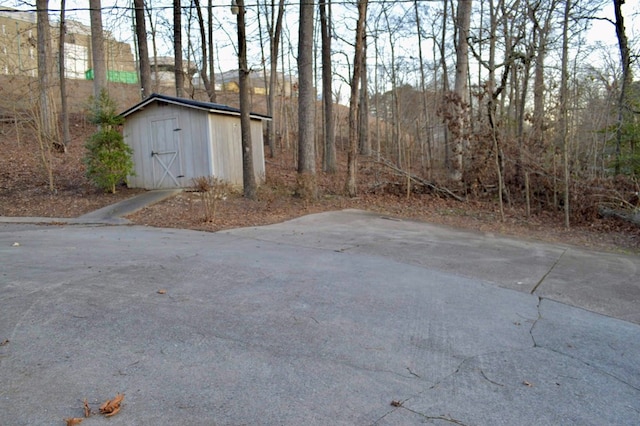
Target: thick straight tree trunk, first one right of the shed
[(306, 100)]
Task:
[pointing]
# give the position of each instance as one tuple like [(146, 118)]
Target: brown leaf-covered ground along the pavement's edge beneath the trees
[(24, 191)]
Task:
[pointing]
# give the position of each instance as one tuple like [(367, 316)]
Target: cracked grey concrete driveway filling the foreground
[(336, 318)]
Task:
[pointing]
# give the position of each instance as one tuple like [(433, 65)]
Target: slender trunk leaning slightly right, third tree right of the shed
[(352, 159)]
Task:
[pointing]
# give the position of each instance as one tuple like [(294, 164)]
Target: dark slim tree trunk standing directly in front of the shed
[(248, 174)]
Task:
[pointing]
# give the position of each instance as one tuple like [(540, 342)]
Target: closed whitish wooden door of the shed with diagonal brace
[(165, 153)]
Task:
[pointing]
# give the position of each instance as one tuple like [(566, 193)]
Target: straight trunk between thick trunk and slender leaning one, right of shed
[(329, 163)]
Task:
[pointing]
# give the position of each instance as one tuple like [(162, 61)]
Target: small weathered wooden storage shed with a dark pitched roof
[(175, 140)]
